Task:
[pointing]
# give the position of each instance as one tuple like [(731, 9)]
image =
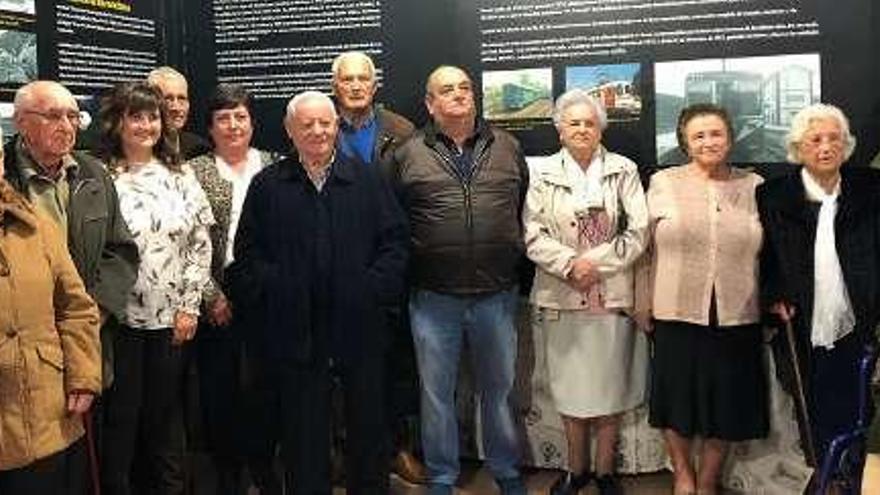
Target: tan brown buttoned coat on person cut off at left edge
[(48, 336)]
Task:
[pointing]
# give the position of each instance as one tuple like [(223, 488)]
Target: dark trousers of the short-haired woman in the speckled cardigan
[(239, 412)]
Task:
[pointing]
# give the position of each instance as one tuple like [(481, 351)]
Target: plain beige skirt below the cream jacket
[(597, 363)]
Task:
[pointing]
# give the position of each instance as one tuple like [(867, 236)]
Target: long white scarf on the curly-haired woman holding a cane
[(833, 316)]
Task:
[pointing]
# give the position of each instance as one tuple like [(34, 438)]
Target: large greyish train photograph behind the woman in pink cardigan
[(762, 94)]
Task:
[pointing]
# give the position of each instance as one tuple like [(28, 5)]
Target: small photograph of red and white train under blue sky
[(617, 86)]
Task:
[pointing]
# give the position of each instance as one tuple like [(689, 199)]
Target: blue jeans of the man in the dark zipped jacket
[(439, 324)]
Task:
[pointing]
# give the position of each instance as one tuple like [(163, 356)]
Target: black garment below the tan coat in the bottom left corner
[(62, 473)]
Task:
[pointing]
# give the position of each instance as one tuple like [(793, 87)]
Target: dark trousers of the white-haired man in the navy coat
[(304, 391)]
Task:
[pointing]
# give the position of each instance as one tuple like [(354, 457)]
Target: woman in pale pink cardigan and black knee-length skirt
[(708, 377)]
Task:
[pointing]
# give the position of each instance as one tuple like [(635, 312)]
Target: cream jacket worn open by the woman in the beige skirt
[(552, 232)]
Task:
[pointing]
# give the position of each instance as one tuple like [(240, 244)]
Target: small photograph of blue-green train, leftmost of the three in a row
[(517, 95)]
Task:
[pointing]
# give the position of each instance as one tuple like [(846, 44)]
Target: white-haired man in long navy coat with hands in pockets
[(321, 250)]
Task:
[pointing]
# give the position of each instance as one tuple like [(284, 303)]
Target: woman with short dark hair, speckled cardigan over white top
[(237, 415)]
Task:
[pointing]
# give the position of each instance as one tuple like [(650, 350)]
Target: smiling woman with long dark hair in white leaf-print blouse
[(169, 218)]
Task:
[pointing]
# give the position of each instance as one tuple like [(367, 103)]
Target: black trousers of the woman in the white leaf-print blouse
[(143, 415)]
